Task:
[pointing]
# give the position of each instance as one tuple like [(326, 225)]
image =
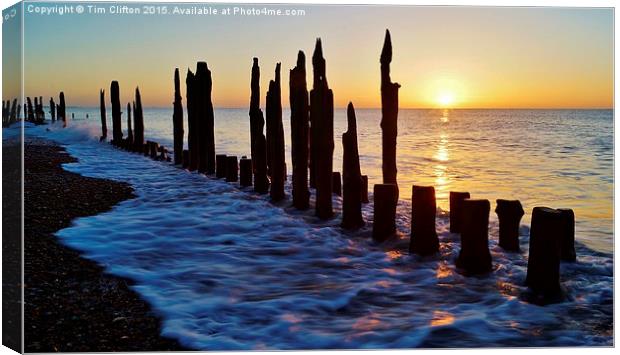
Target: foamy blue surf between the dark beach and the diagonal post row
[(226, 269)]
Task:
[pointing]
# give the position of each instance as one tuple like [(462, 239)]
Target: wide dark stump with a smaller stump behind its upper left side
[(474, 256)]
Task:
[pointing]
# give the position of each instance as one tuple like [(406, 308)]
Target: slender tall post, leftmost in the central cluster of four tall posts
[(259, 148)]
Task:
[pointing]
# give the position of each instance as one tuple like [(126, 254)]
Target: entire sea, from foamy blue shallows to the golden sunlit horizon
[(227, 269)]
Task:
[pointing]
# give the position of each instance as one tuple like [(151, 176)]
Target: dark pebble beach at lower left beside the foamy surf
[(70, 303)]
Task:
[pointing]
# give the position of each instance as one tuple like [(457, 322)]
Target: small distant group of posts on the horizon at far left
[(33, 113)]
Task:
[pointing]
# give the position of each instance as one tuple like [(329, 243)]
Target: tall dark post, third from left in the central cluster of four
[(299, 132)]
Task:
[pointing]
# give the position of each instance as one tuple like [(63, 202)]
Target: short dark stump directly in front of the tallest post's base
[(385, 199)]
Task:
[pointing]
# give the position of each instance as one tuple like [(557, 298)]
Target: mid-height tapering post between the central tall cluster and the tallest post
[(351, 175)]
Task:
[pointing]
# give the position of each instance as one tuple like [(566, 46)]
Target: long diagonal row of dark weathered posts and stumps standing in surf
[(312, 145)]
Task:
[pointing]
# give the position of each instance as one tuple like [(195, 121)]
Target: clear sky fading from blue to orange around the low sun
[(461, 57)]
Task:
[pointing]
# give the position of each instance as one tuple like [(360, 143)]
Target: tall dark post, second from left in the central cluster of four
[(275, 131)]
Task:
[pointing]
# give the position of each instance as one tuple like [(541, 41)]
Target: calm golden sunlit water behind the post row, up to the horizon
[(555, 158)]
